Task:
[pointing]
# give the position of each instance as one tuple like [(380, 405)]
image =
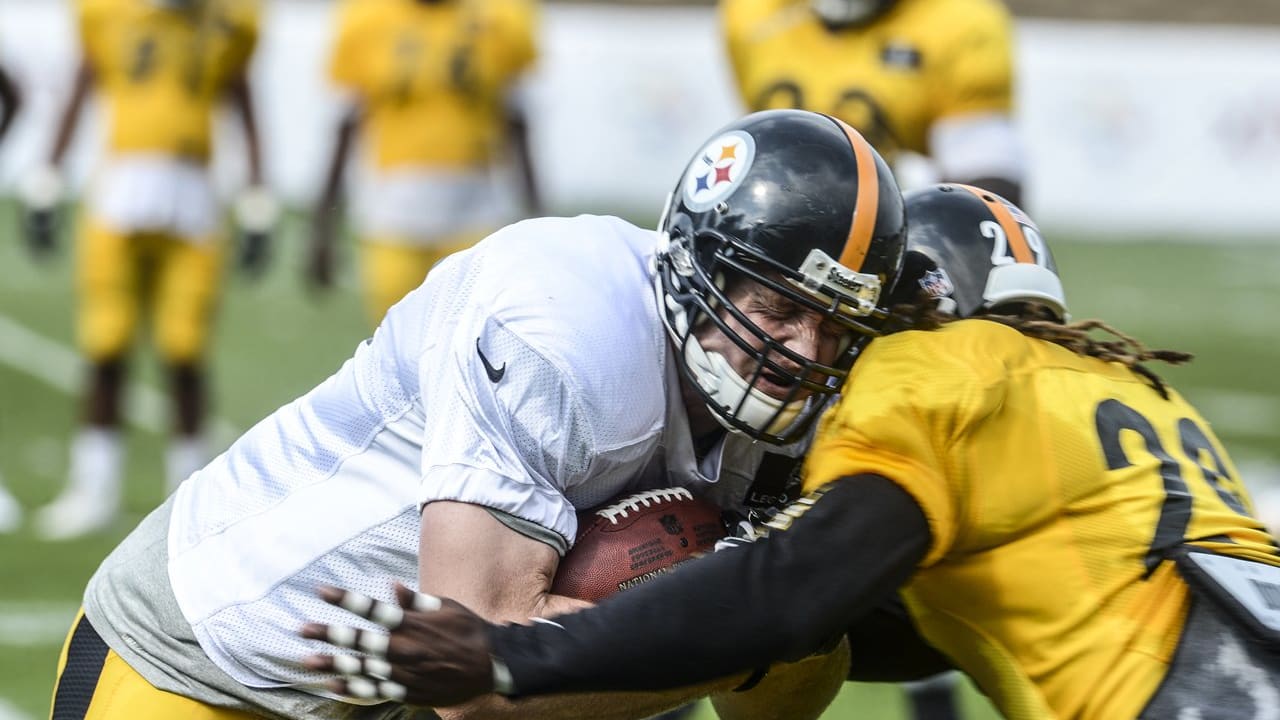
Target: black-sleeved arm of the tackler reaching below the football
[(780, 599)]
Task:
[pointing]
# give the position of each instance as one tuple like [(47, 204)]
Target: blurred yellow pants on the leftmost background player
[(122, 276)]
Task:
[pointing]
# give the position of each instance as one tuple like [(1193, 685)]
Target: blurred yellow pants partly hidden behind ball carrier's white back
[(391, 268)]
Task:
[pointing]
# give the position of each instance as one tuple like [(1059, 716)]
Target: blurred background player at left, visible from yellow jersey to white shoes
[(150, 235)]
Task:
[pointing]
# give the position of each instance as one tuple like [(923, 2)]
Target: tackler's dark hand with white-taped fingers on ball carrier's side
[(435, 653)]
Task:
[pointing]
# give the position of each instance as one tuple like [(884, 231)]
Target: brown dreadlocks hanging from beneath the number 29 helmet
[(1036, 321)]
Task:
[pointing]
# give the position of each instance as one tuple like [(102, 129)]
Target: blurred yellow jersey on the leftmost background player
[(163, 71)]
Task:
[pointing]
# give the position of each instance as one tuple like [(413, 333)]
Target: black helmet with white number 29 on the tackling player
[(973, 252)]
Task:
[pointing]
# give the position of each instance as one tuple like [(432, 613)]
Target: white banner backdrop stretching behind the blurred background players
[(1128, 129)]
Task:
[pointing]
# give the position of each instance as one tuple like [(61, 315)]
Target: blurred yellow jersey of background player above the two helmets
[(893, 80)]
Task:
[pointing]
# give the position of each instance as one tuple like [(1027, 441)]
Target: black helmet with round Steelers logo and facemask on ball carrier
[(802, 204)]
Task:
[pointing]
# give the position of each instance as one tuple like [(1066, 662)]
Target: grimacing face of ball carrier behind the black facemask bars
[(801, 330)]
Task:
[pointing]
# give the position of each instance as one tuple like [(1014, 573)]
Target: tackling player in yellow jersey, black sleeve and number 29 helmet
[(1064, 527)]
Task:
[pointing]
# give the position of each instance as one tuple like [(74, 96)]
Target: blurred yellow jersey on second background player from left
[(433, 76)]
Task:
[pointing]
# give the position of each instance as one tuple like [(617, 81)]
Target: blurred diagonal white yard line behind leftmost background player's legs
[(61, 367)]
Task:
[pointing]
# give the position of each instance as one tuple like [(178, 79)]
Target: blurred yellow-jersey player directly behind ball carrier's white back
[(436, 89)]
